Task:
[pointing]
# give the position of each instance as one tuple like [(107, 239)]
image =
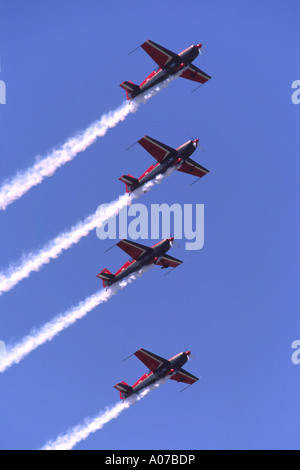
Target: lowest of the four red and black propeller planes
[(159, 368)]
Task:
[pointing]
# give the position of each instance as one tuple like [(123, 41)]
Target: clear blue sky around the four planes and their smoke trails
[(235, 303)]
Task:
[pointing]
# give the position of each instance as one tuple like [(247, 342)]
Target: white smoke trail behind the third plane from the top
[(51, 329)]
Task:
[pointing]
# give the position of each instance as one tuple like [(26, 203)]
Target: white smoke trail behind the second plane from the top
[(34, 261)]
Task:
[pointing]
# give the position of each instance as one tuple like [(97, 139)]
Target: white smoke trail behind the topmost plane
[(15, 188)]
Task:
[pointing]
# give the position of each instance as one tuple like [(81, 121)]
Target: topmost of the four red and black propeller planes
[(169, 64)]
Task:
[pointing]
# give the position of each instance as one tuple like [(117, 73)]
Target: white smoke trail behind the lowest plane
[(82, 432)]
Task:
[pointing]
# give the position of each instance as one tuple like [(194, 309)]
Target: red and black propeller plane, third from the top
[(141, 256)]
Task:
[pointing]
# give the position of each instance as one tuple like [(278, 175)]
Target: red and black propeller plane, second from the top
[(167, 157)]
